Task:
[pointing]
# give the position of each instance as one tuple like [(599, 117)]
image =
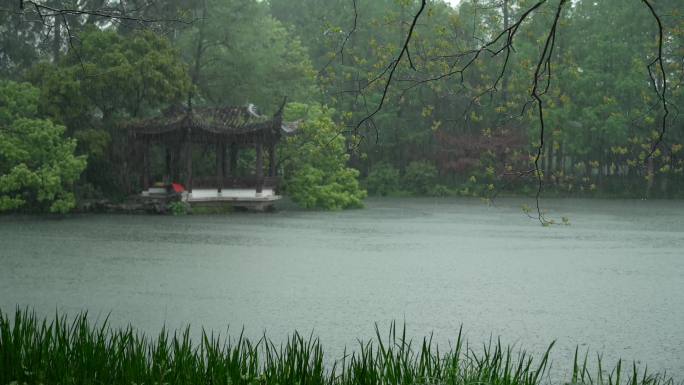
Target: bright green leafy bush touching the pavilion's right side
[(316, 175)]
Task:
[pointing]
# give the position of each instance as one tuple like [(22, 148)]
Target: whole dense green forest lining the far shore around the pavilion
[(456, 119)]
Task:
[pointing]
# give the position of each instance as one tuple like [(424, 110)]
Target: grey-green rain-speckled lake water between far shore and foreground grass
[(611, 282)]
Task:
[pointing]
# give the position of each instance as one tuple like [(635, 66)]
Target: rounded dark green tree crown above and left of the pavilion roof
[(118, 75)]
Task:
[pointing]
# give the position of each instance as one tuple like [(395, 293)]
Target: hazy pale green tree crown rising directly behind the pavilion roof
[(239, 54)]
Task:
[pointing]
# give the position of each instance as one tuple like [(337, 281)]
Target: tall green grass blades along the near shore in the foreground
[(59, 351)]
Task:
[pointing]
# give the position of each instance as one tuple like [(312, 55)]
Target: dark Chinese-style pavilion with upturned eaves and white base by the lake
[(225, 130)]
